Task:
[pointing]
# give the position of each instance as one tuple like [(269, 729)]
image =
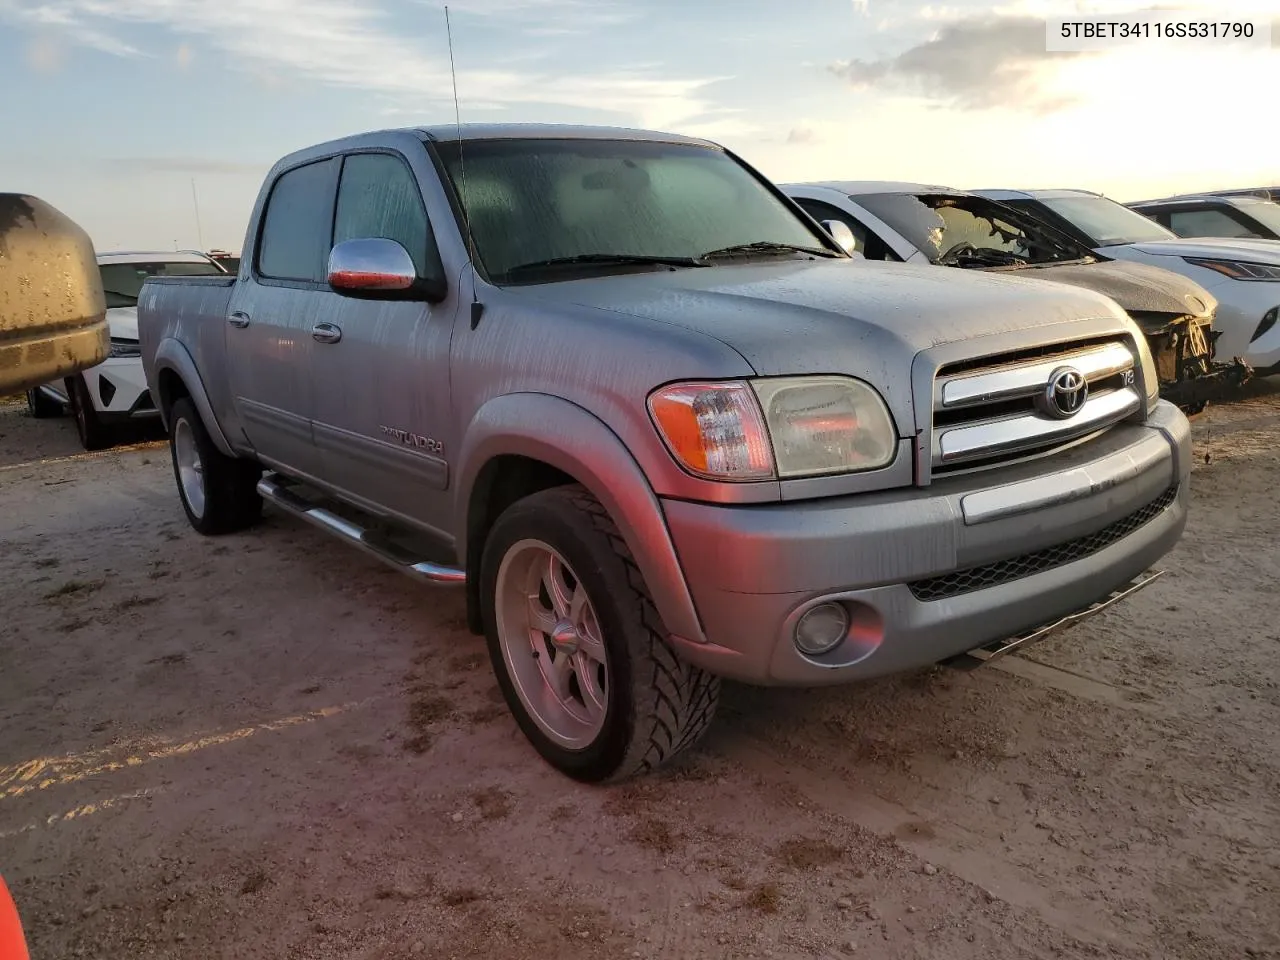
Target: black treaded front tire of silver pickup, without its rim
[(657, 706)]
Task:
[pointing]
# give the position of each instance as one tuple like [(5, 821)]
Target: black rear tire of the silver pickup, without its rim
[(231, 499)]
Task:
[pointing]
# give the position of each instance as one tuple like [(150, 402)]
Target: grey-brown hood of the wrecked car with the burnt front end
[(1140, 289)]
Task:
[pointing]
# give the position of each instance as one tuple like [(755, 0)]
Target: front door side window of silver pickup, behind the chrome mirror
[(378, 198)]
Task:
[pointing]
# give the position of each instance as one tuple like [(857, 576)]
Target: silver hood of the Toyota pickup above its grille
[(849, 317)]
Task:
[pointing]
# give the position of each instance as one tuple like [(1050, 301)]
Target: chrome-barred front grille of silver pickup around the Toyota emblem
[(994, 410)]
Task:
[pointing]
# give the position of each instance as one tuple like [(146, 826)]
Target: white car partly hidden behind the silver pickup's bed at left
[(116, 392)]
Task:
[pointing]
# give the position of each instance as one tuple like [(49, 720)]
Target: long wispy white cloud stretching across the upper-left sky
[(356, 45)]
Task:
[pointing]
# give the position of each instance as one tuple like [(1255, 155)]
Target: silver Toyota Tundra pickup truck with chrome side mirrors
[(660, 424)]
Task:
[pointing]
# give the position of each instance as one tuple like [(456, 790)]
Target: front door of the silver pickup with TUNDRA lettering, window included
[(381, 368)]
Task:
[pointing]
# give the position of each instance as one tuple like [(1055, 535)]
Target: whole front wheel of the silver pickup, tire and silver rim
[(579, 651)]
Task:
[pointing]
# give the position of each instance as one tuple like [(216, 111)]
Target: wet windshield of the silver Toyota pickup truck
[(537, 207)]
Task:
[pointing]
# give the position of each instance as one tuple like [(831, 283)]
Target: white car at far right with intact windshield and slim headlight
[(1244, 275)]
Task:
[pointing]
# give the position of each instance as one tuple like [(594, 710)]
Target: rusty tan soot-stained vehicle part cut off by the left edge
[(53, 316)]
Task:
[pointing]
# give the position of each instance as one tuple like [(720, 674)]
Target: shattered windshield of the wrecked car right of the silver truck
[(966, 231)]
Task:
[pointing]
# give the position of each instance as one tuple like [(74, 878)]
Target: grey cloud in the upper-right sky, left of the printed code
[(976, 63)]
